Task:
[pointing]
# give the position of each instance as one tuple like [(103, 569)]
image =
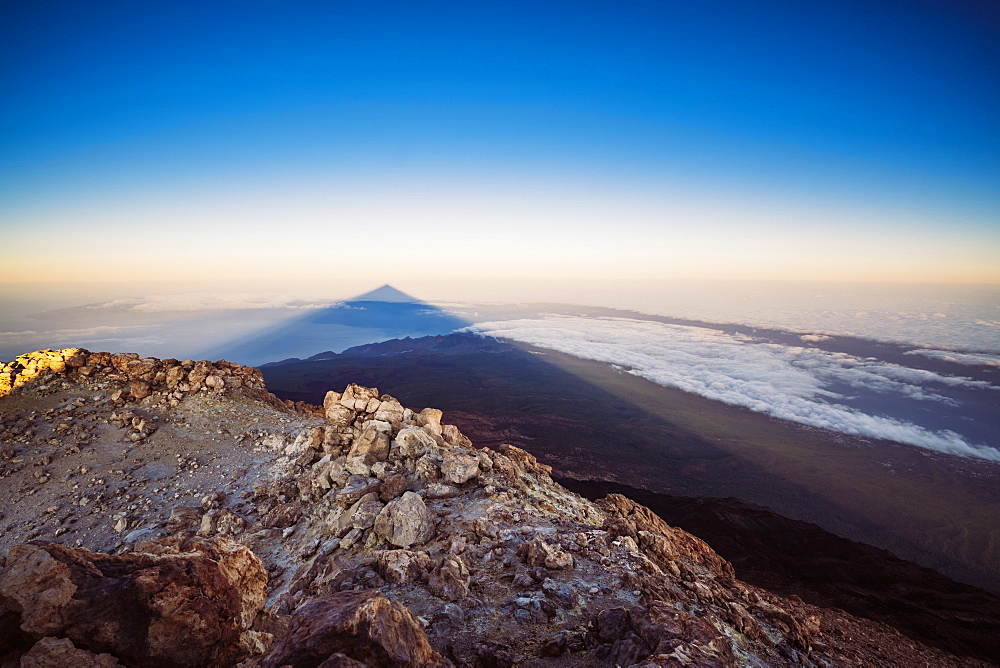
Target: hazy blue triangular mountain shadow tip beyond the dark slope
[(381, 314)]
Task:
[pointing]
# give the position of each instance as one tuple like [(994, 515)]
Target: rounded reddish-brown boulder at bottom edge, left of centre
[(361, 625)]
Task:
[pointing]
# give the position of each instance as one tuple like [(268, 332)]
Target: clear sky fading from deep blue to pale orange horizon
[(416, 143)]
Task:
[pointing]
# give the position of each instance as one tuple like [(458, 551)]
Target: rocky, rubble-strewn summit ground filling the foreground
[(174, 513)]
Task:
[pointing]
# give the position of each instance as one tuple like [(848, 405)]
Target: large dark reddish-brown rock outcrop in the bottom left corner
[(170, 603)]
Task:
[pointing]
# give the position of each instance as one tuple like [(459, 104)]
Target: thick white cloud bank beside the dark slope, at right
[(791, 383)]
